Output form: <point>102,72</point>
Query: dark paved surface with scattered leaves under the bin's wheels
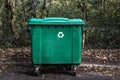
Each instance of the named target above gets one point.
<point>27,73</point>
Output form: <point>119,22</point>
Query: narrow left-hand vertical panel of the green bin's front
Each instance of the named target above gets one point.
<point>36,45</point>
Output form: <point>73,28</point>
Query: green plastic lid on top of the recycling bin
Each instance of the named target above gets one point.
<point>55,21</point>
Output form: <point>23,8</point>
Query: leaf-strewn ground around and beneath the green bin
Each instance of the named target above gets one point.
<point>97,64</point>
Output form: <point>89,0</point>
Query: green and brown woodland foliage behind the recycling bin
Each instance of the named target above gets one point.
<point>102,19</point>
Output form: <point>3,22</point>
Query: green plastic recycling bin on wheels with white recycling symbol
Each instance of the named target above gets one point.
<point>56,41</point>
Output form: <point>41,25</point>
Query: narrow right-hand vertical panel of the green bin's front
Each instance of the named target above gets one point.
<point>77,44</point>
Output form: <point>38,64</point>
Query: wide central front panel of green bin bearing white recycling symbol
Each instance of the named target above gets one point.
<point>56,45</point>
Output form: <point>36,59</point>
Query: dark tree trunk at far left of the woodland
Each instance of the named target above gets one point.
<point>7,28</point>
